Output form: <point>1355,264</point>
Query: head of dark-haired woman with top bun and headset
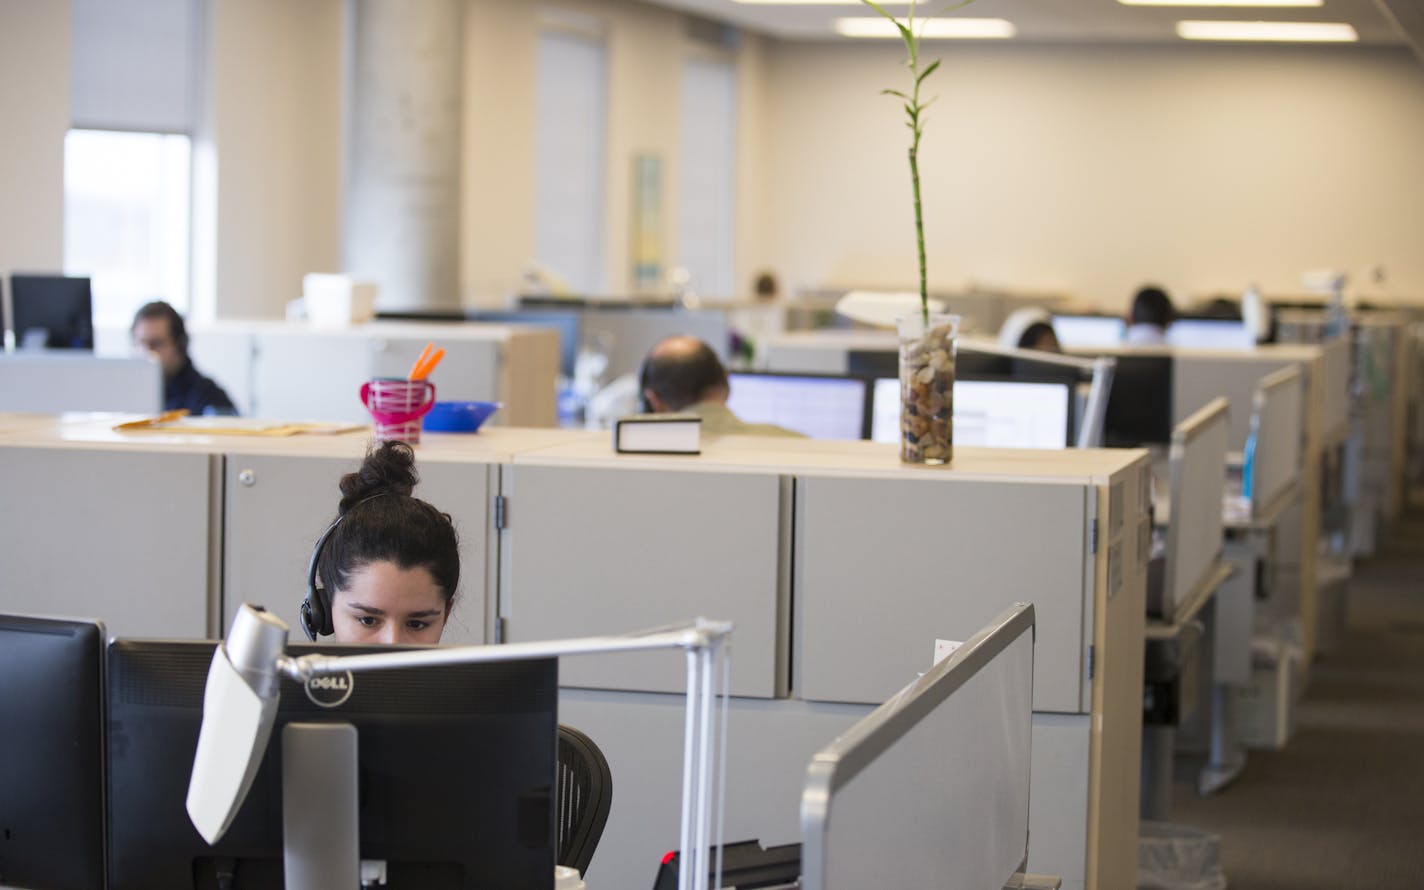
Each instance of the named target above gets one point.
<point>389,565</point>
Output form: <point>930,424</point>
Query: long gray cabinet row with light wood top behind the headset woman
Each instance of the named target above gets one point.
<point>839,566</point>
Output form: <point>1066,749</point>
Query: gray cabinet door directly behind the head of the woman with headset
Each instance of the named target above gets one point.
<point>278,505</point>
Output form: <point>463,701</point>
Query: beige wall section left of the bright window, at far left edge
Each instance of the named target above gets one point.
<point>35,106</point>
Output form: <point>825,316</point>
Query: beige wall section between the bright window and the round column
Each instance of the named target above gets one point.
<point>277,123</point>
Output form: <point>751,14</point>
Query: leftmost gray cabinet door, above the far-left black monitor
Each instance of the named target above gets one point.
<point>122,536</point>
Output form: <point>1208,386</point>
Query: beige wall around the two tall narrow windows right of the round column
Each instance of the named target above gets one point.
<point>647,48</point>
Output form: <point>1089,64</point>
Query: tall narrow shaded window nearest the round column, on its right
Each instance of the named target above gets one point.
<point>569,200</point>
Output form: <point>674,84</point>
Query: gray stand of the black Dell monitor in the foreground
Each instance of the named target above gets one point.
<point>321,831</point>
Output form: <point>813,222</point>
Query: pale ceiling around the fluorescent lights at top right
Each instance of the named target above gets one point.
<point>1080,22</point>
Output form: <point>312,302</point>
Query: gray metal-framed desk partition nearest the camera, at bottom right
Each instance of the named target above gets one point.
<point>884,804</point>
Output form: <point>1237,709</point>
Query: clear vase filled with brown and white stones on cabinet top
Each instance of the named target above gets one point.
<point>928,388</point>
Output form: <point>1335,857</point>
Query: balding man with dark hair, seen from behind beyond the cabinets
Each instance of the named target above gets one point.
<point>681,374</point>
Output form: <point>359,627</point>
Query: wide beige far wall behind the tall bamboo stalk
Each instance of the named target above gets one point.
<point>1089,172</point>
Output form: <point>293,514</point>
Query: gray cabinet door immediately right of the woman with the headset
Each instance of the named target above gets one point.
<point>609,550</point>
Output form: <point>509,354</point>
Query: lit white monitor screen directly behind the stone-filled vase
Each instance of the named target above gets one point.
<point>990,414</point>
